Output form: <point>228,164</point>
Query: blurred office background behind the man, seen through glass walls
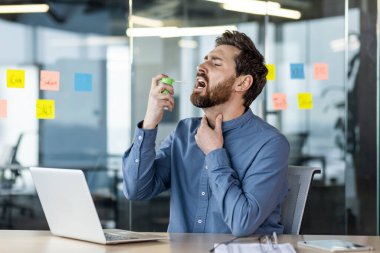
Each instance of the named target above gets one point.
<point>91,130</point>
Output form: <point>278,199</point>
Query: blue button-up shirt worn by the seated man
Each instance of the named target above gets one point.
<point>236,189</point>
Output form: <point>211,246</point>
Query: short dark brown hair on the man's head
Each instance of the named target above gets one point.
<point>248,62</point>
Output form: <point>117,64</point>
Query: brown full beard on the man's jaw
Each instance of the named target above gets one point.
<point>216,95</point>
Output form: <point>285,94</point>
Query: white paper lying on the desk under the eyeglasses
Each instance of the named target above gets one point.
<point>254,248</point>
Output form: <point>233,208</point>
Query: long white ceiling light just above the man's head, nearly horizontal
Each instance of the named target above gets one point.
<point>172,31</point>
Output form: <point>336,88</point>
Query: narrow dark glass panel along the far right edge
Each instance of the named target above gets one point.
<point>361,150</point>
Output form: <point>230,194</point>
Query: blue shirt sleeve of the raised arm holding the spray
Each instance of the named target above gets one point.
<point>146,172</point>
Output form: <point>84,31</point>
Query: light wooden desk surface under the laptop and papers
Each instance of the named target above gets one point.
<point>21,241</point>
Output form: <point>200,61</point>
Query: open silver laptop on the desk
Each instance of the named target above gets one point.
<point>70,210</point>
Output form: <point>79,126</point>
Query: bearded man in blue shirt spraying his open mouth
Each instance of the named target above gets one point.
<point>226,171</point>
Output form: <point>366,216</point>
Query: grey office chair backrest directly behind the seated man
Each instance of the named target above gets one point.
<point>299,179</point>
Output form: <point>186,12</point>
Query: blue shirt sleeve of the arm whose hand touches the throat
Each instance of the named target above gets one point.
<point>245,204</point>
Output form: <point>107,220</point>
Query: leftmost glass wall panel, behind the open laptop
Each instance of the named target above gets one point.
<point>90,128</point>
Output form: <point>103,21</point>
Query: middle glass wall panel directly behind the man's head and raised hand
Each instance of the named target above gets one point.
<point>178,57</point>
